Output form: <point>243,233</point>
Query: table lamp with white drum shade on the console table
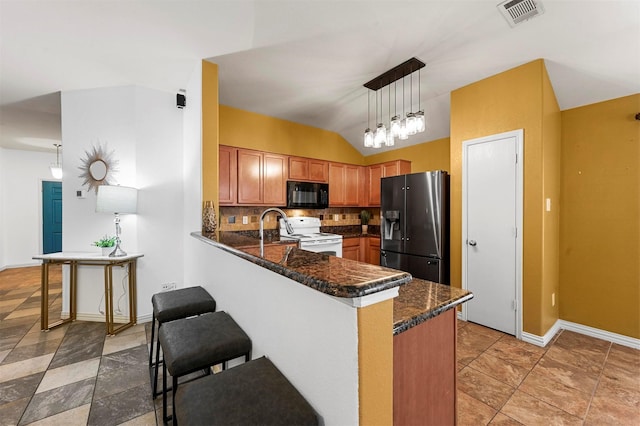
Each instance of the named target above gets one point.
<point>117,200</point>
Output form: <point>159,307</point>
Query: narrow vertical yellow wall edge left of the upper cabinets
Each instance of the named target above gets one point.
<point>210,133</point>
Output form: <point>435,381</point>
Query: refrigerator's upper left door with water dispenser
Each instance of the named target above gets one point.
<point>392,212</point>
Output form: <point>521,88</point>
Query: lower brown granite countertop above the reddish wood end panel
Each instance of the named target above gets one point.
<point>421,300</point>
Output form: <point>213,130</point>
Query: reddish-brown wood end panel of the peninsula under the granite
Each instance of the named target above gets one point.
<point>424,373</point>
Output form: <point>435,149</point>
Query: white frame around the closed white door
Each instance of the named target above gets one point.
<point>519,136</point>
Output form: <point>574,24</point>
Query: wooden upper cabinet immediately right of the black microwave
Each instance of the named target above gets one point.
<point>346,182</point>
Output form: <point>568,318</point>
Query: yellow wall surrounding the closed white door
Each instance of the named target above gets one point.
<point>508,101</point>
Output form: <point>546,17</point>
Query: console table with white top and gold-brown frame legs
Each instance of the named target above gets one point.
<point>74,259</point>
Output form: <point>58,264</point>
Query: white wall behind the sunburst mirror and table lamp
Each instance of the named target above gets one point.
<point>143,128</point>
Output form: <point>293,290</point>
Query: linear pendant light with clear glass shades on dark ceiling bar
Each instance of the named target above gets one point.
<point>400,128</point>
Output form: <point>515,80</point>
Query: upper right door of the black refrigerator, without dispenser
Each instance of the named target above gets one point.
<point>426,214</point>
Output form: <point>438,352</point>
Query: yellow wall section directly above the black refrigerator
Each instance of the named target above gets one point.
<point>426,156</point>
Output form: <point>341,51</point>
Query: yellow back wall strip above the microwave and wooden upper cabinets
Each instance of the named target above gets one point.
<point>246,129</point>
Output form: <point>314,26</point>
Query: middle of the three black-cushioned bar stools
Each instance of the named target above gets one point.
<point>199,343</point>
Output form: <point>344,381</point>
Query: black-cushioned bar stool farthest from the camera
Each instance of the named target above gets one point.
<point>170,306</point>
